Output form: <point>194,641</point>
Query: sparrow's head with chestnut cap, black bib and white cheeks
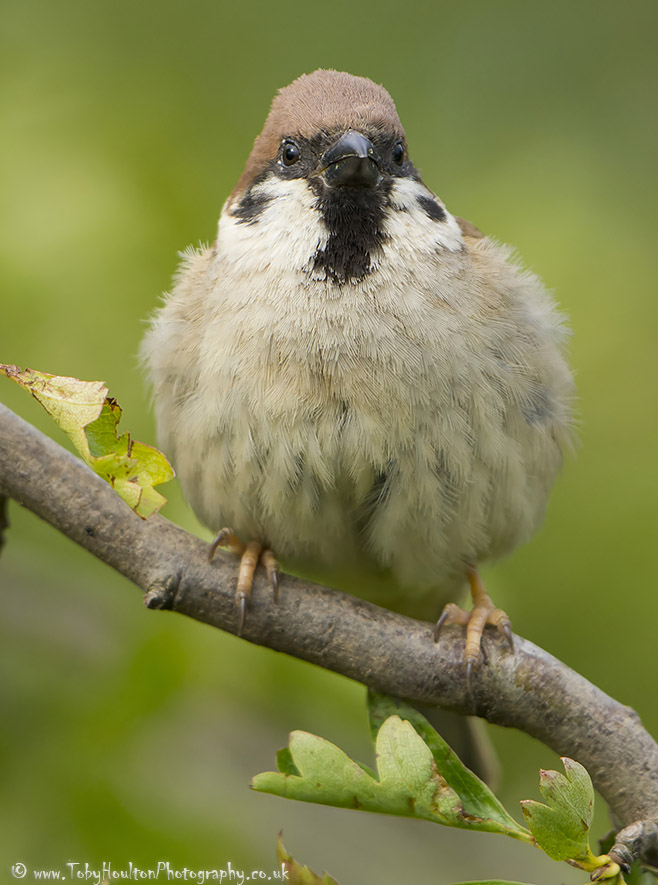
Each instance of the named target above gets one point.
<point>330,168</point>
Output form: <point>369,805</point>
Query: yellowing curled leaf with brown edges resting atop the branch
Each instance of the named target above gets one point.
<point>89,417</point>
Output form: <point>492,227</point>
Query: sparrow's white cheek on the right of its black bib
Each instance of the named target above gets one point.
<point>411,227</point>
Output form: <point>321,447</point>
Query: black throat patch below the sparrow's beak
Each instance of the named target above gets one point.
<point>354,217</point>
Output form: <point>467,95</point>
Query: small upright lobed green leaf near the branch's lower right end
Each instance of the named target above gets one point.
<point>561,826</point>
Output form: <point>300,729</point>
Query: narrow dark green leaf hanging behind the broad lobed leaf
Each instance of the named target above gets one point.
<point>477,800</point>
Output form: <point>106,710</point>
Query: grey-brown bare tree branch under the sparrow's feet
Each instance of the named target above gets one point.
<point>529,689</point>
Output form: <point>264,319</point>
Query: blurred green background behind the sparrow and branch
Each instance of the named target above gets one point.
<point>128,735</point>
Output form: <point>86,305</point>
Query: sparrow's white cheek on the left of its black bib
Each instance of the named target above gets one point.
<point>286,235</point>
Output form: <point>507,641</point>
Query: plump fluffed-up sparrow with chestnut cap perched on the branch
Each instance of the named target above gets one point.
<point>353,383</point>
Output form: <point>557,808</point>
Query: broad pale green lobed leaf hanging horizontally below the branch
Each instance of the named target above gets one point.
<point>407,781</point>
